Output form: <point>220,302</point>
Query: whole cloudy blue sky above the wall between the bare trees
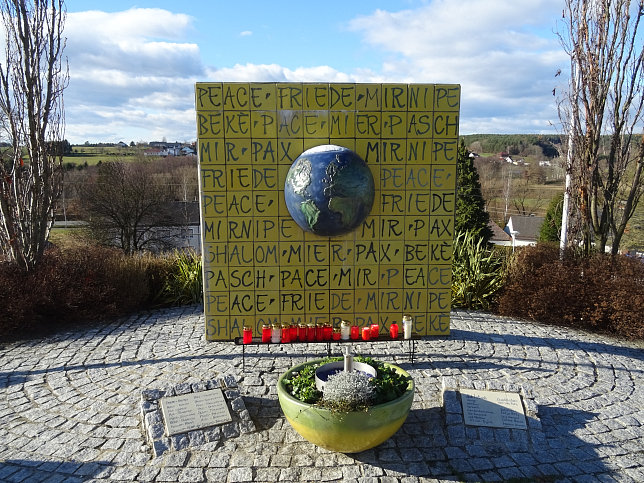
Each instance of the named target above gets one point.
<point>133,65</point>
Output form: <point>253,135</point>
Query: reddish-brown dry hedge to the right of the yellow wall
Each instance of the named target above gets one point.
<point>603,293</point>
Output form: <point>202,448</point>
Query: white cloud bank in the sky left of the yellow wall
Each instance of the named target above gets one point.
<point>132,72</point>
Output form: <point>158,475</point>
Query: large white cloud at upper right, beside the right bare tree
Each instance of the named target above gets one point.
<point>503,54</point>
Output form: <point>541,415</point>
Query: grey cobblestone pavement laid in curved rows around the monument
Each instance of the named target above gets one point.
<point>69,406</point>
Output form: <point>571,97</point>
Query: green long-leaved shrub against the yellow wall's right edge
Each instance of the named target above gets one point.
<point>477,272</point>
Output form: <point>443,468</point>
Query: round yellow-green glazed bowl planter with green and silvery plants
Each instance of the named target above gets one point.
<point>353,414</point>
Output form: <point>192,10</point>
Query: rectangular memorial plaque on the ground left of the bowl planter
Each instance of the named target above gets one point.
<point>193,411</point>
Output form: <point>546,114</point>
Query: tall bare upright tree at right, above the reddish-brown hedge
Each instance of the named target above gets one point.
<point>605,99</point>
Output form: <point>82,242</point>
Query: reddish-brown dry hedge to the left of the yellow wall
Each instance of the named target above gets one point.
<point>78,283</point>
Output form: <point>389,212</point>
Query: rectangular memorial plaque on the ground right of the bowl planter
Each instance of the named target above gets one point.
<point>494,409</point>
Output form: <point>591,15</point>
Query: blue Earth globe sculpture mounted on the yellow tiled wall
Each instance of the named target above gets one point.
<point>329,190</point>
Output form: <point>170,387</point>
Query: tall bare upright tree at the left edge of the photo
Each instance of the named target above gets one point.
<point>32,79</point>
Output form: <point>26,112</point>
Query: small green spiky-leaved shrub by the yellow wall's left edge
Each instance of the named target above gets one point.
<point>183,284</point>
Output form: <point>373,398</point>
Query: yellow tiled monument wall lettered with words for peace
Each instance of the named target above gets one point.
<point>260,267</point>
